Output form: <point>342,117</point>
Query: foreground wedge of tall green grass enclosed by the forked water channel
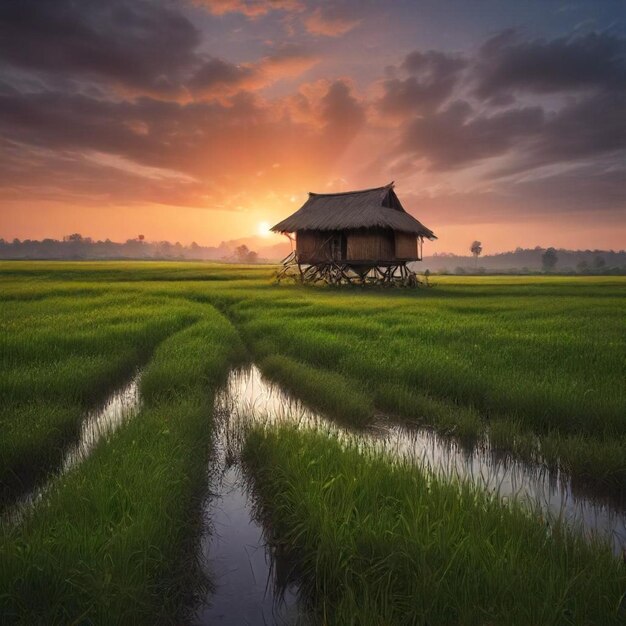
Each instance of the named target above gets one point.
<point>373,542</point>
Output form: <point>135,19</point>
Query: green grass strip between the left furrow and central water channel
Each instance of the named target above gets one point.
<point>114,540</point>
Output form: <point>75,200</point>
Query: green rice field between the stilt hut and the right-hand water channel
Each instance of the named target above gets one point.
<point>544,355</point>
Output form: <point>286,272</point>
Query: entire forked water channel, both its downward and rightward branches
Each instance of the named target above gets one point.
<point>235,549</point>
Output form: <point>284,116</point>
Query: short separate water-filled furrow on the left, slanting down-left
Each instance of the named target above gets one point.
<point>121,405</point>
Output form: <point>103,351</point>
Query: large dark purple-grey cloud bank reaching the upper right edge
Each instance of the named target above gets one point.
<point>589,71</point>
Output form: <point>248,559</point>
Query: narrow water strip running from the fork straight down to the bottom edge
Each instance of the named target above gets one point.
<point>248,580</point>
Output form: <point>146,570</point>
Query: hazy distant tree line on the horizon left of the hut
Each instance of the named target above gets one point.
<point>77,247</point>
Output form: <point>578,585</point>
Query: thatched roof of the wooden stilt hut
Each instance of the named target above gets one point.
<point>368,208</point>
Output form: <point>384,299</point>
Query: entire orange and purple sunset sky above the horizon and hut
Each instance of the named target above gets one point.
<point>209,120</point>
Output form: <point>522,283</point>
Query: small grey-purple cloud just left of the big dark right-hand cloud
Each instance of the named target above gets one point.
<point>432,78</point>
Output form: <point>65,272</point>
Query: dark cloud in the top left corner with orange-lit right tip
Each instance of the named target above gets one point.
<point>130,47</point>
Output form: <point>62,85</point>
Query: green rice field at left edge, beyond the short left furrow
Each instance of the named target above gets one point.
<point>60,358</point>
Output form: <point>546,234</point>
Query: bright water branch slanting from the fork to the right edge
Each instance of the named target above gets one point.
<point>249,398</point>
